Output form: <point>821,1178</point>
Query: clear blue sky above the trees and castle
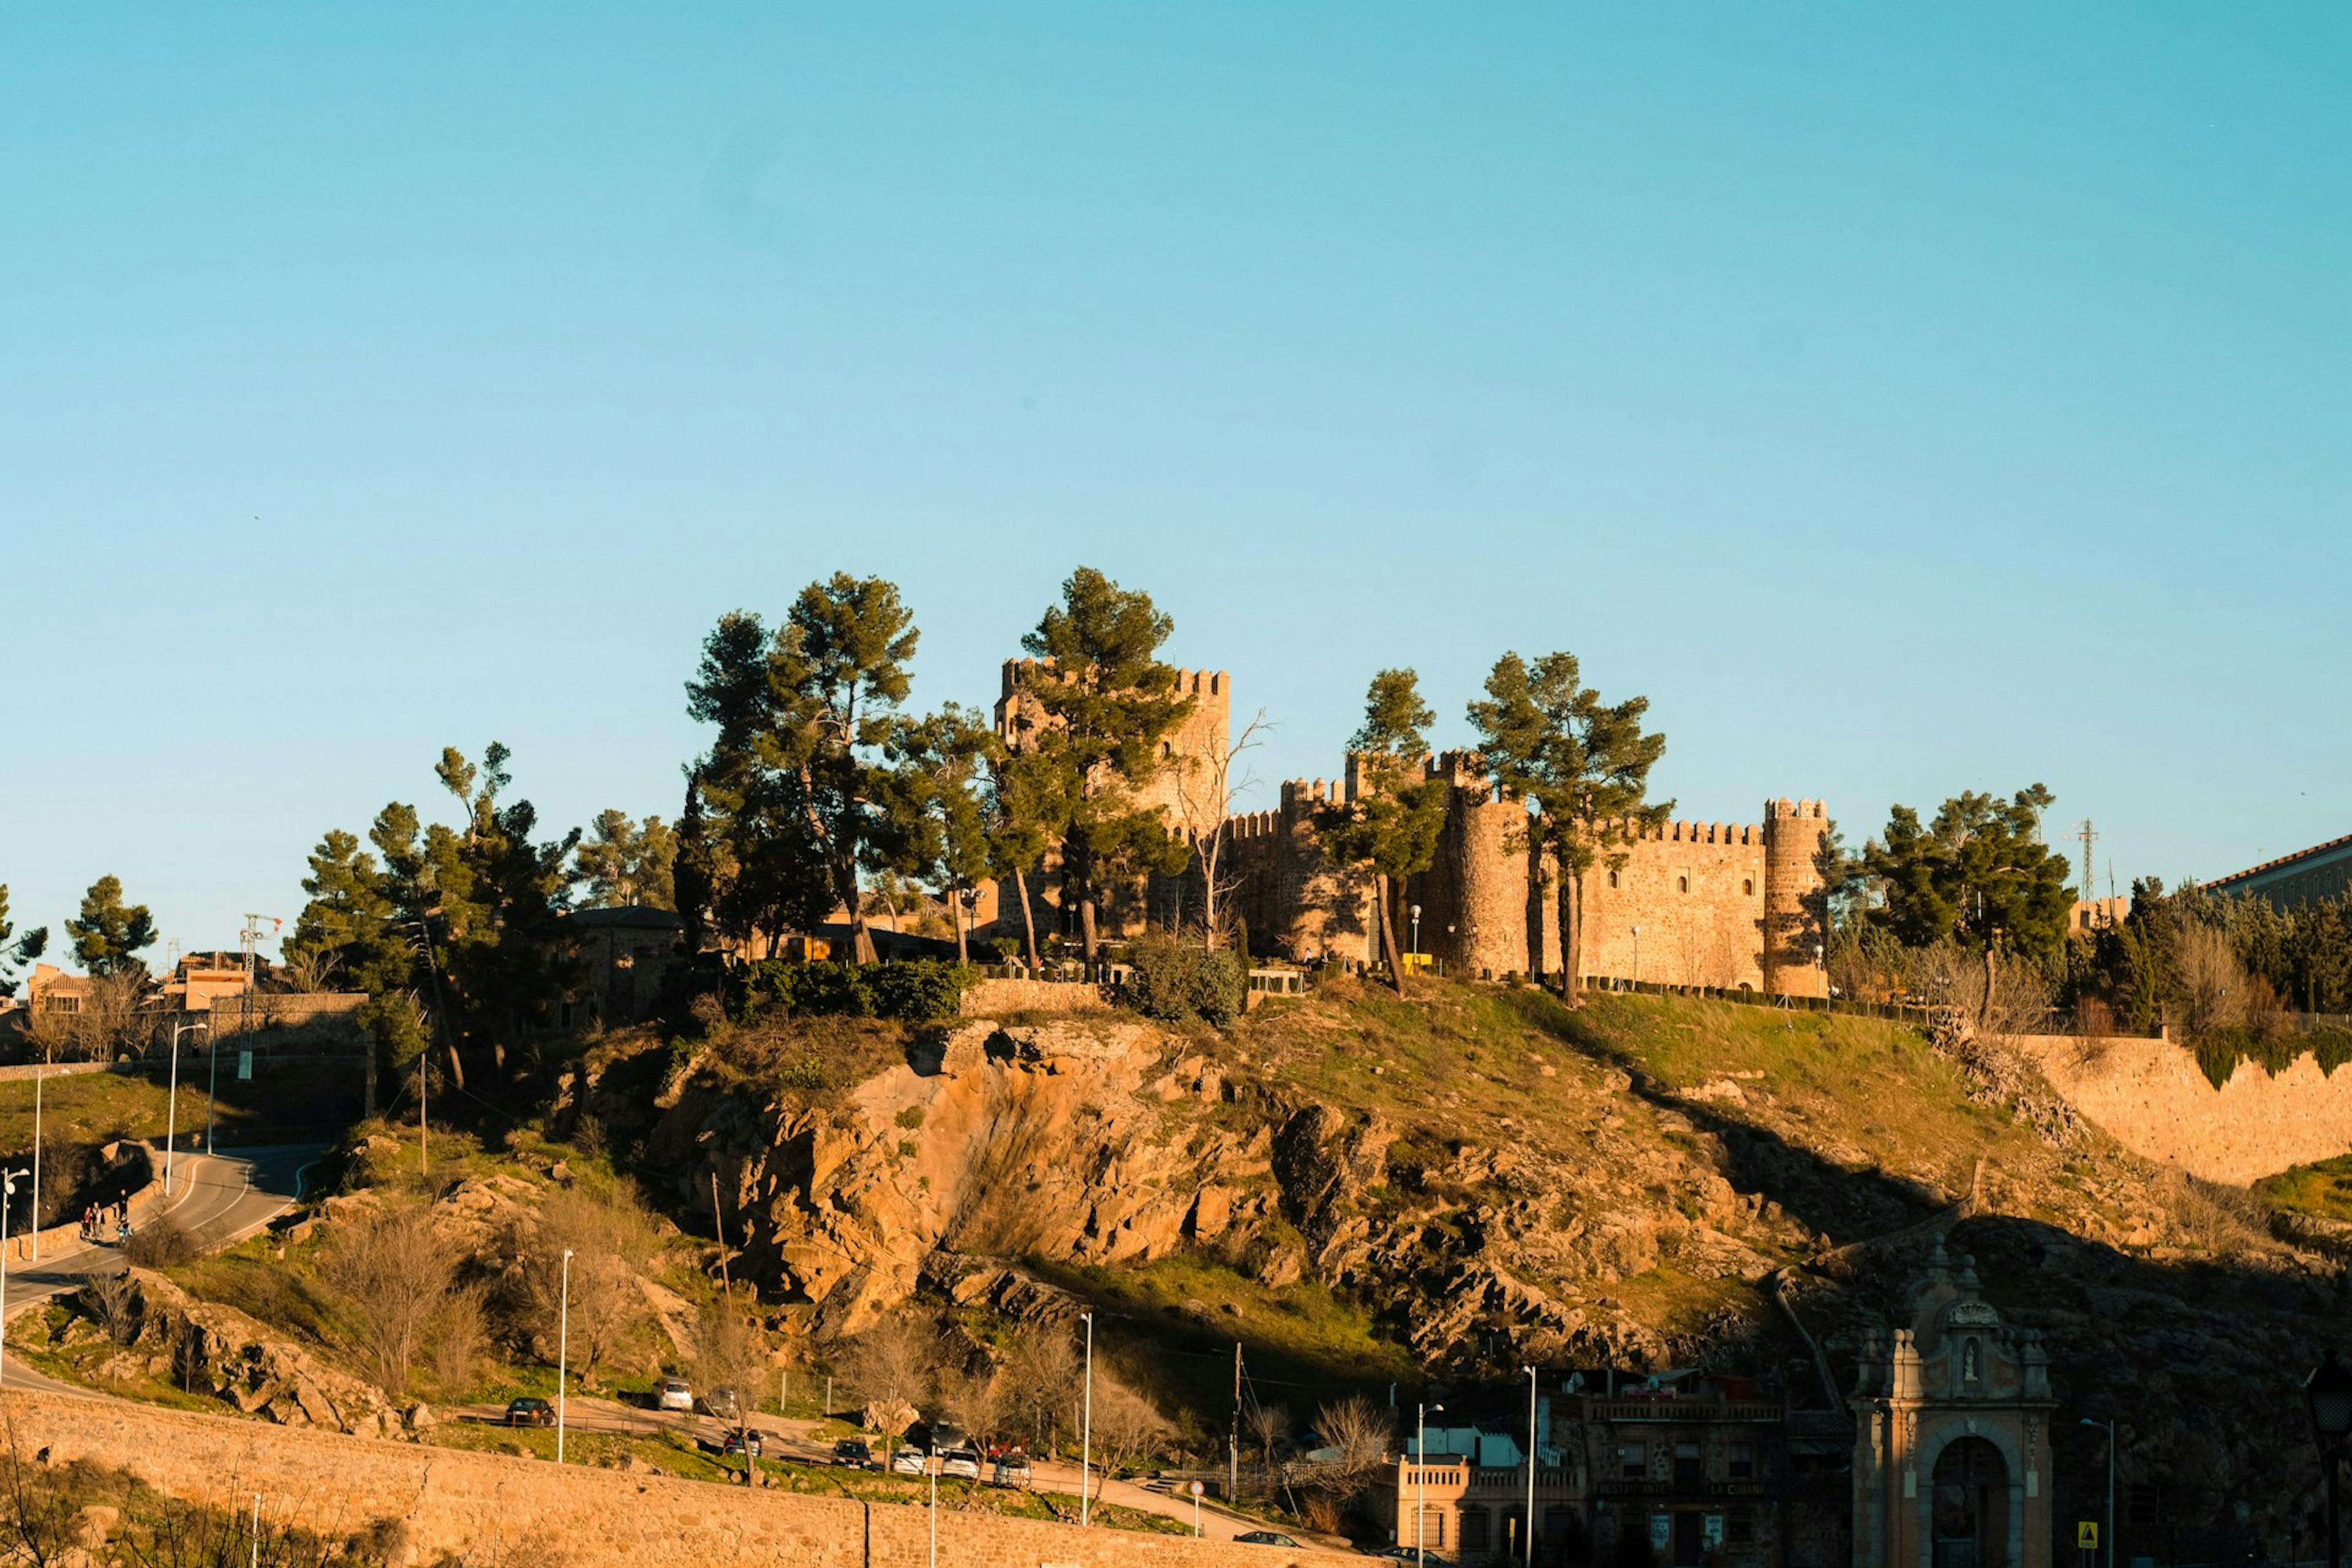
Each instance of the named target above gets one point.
<point>1904,398</point>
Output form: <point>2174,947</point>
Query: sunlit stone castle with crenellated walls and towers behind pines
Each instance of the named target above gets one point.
<point>1690,904</point>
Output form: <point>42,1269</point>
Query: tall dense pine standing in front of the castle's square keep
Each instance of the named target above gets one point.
<point>1104,704</point>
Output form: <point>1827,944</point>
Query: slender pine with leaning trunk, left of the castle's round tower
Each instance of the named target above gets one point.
<point>1391,826</point>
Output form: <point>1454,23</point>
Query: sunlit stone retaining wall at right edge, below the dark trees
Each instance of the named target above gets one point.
<point>2153,1099</point>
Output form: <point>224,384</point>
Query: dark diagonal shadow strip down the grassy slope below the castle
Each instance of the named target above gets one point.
<point>1822,1195</point>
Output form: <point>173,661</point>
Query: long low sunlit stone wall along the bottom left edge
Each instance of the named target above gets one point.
<point>455,1501</point>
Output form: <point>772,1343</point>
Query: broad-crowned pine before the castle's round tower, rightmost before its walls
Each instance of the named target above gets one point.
<point>1579,765</point>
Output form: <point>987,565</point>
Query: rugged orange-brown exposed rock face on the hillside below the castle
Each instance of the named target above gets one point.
<point>1111,1144</point>
